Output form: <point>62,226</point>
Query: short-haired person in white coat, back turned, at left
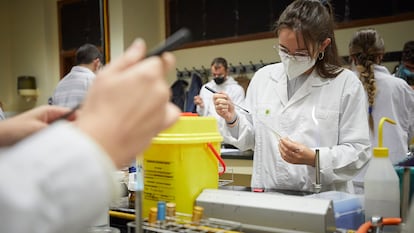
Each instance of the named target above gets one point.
<point>72,89</point>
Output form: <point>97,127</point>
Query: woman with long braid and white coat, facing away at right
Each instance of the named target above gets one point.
<point>387,96</point>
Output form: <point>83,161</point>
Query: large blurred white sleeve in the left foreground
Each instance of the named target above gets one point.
<point>57,180</point>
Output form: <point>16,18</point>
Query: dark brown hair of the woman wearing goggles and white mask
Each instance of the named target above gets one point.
<point>314,20</point>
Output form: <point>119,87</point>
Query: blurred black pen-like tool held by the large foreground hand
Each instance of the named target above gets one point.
<point>177,39</point>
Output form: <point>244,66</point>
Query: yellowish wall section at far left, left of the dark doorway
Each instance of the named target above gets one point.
<point>30,49</point>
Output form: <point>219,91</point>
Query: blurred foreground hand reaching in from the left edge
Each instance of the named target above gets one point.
<point>18,127</point>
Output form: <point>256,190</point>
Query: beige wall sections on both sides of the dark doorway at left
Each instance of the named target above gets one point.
<point>30,46</point>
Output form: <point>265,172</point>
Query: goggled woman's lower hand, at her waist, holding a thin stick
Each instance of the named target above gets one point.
<point>296,153</point>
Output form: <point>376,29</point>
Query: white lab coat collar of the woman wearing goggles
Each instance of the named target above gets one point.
<point>313,81</point>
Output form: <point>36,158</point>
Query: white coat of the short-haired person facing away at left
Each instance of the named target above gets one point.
<point>71,90</point>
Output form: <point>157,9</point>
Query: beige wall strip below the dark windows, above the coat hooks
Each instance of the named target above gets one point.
<point>394,34</point>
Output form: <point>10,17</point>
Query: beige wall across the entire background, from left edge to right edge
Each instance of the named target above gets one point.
<point>29,43</point>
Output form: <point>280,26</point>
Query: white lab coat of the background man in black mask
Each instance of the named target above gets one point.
<point>230,87</point>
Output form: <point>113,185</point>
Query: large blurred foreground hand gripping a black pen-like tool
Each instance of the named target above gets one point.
<point>128,104</point>
